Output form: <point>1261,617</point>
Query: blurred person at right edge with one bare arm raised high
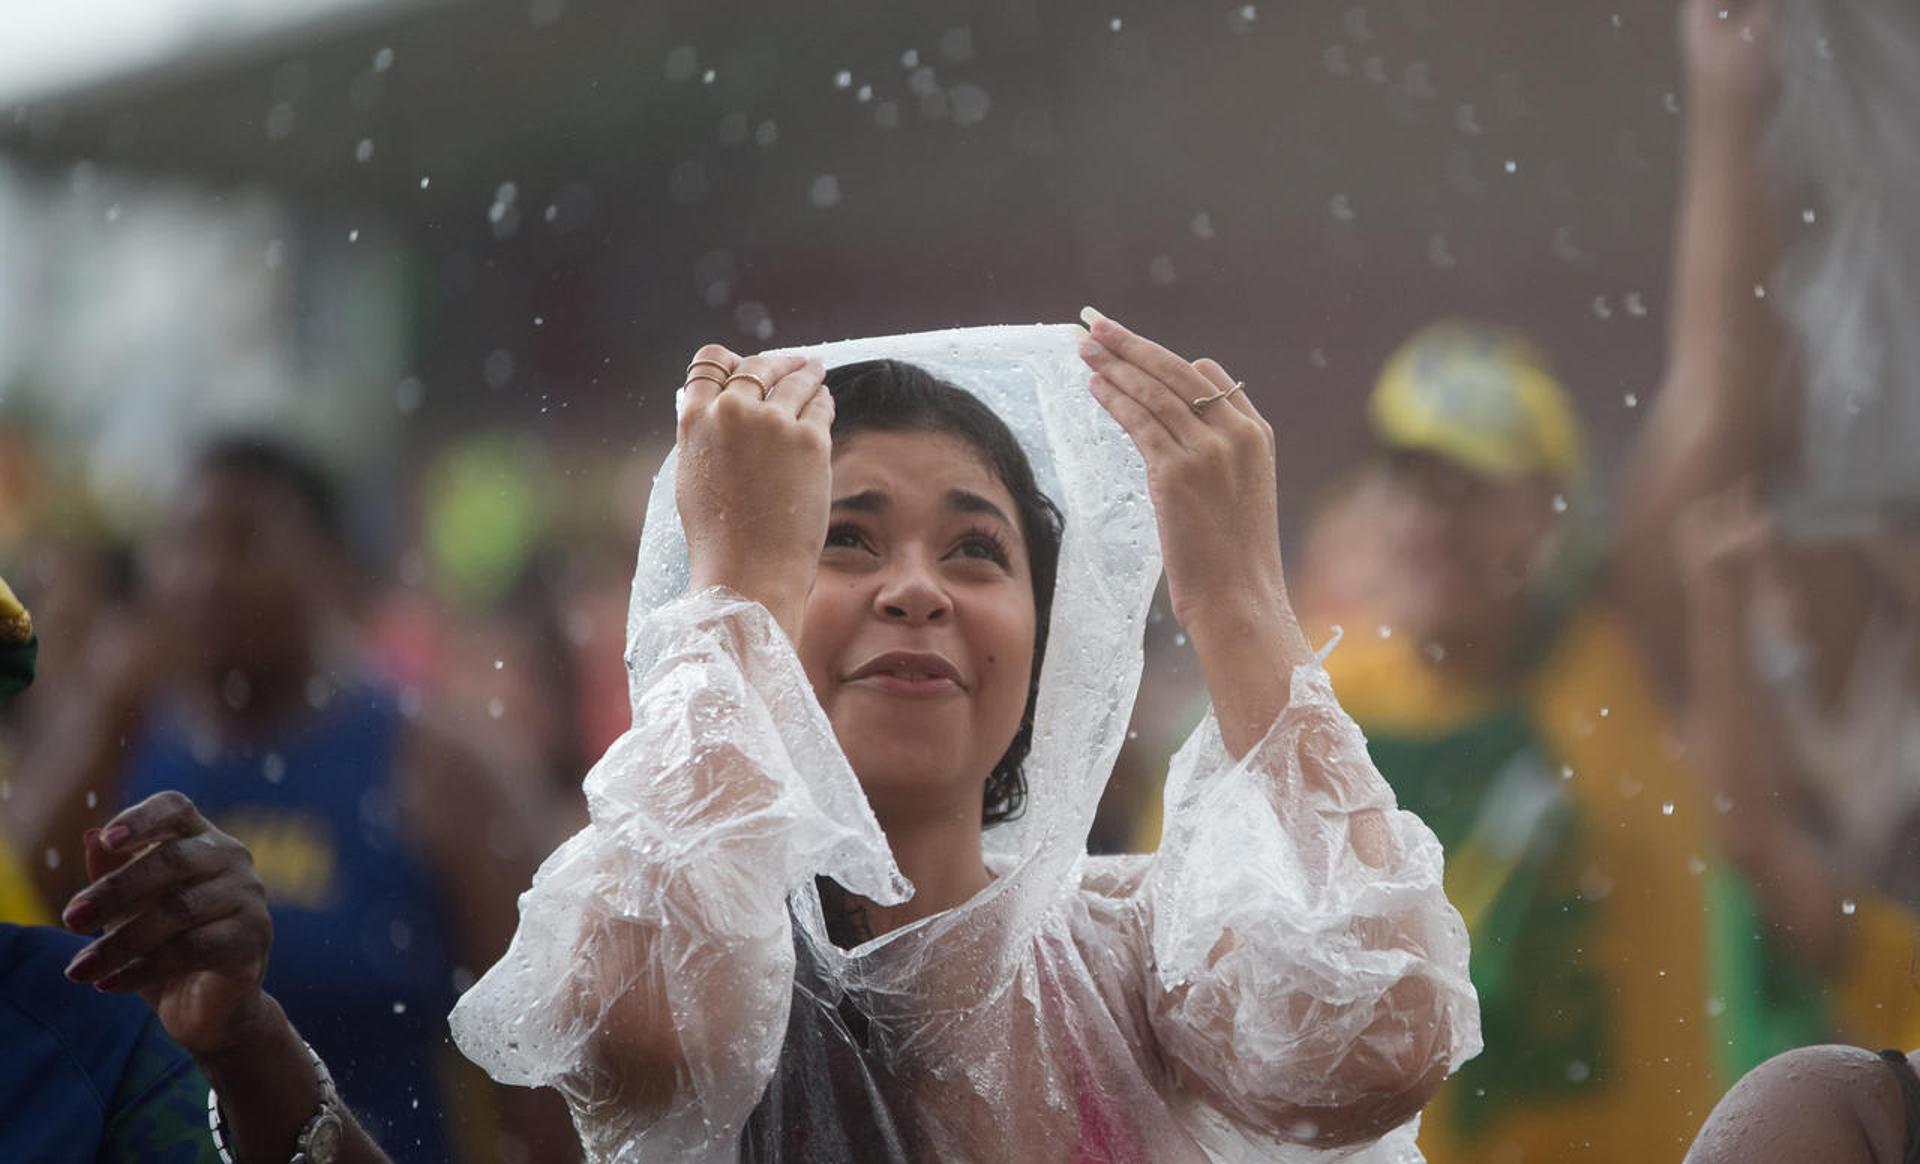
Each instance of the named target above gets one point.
<point>1788,637</point>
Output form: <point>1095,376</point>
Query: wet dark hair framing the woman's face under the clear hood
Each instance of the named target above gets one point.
<point>892,397</point>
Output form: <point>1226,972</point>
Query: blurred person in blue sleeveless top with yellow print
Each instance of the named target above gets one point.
<point>391,850</point>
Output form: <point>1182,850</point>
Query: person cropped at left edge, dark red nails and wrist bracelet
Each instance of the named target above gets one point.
<point>93,1075</point>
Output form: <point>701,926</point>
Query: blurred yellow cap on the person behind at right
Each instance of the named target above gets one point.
<point>1483,399</point>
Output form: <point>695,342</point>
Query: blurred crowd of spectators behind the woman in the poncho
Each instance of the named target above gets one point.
<point>1668,729</point>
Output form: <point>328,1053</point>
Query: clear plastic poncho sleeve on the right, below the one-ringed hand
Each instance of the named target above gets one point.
<point>1295,990</point>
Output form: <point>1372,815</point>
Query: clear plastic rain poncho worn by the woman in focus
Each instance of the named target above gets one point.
<point>1211,1002</point>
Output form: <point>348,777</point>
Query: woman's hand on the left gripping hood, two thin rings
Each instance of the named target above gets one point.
<point>756,475</point>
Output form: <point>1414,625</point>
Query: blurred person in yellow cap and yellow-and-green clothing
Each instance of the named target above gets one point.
<point>1502,700</point>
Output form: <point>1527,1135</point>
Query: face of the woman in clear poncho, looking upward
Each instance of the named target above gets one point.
<point>919,631</point>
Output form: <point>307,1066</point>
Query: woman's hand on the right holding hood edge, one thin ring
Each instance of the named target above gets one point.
<point>1209,472</point>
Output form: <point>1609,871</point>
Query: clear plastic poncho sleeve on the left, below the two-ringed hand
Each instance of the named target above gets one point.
<point>652,971</point>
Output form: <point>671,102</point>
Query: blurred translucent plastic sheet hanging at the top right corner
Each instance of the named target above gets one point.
<point>1846,151</point>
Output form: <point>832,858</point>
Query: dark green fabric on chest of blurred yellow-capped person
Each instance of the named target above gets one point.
<point>1543,1011</point>
